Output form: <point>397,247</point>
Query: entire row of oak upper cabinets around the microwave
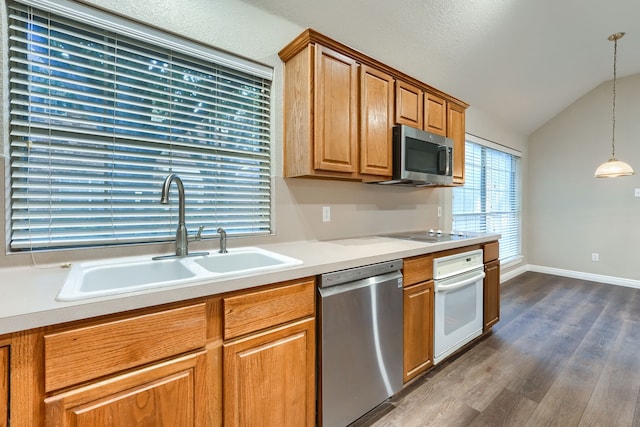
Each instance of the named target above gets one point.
<point>340,107</point>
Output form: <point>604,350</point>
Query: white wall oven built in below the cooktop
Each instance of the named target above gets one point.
<point>458,285</point>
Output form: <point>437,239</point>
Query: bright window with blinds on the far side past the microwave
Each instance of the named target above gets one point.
<point>489,201</point>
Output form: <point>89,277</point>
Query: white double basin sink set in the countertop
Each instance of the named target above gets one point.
<point>101,278</point>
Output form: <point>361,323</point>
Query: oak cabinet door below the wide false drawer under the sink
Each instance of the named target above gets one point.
<point>171,394</point>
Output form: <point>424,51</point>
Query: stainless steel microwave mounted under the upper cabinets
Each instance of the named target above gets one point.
<point>420,158</point>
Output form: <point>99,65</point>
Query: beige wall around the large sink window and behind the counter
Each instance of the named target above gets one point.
<point>357,209</point>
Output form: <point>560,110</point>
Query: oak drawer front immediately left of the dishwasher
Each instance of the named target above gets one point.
<point>255,311</point>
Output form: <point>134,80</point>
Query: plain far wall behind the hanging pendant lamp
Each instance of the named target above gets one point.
<point>571,214</point>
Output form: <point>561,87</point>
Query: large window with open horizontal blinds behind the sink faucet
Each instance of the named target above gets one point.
<point>103,109</point>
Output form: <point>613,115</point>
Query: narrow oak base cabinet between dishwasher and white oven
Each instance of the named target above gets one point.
<point>417,315</point>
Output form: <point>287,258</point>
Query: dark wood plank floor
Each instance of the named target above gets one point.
<point>566,352</point>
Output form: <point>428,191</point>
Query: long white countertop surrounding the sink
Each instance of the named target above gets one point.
<point>29,293</point>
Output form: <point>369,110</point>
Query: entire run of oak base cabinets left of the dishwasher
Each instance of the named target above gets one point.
<point>250,352</point>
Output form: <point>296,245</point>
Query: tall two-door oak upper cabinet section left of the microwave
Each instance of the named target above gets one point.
<point>336,124</point>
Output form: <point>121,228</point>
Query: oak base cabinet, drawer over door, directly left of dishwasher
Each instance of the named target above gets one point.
<point>269,356</point>
